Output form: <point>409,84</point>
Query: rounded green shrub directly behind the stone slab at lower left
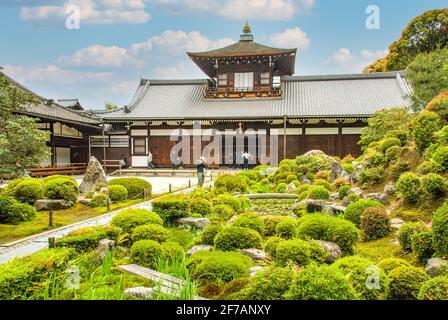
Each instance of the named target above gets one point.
<point>146,253</point>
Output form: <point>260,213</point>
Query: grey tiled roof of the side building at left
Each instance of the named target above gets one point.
<point>48,109</point>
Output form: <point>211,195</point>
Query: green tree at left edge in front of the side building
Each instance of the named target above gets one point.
<point>21,140</point>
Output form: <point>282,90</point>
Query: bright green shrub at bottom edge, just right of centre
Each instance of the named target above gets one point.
<point>270,284</point>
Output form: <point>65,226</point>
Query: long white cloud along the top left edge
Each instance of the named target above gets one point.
<point>91,12</point>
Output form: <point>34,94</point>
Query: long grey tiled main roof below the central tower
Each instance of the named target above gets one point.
<point>332,96</point>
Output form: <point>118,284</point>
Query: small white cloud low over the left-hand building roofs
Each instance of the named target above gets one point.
<point>101,56</point>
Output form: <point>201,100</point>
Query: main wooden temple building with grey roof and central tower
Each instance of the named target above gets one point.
<point>250,86</point>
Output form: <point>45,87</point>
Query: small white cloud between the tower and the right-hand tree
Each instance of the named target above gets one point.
<point>347,61</point>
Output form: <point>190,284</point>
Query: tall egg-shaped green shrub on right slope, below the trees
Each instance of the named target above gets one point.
<point>424,126</point>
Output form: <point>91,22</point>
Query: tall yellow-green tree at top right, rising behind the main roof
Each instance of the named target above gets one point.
<point>425,33</point>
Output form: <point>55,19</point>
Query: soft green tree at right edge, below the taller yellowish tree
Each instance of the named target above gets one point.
<point>428,75</point>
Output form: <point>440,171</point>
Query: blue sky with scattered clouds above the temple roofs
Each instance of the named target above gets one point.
<point>102,56</point>
